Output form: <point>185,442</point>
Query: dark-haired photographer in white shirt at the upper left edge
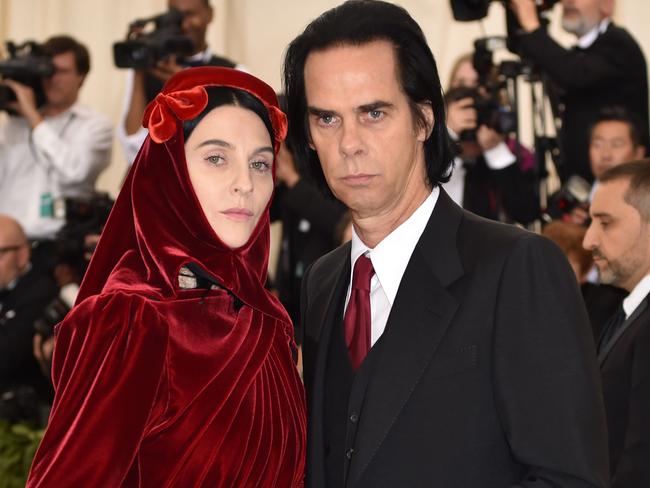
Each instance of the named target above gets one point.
<point>52,151</point>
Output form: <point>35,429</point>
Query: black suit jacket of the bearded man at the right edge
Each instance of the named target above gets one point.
<point>625,367</point>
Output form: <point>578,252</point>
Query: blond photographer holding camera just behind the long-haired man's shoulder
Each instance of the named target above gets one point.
<point>493,175</point>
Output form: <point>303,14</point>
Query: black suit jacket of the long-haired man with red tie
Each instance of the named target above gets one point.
<point>487,375</point>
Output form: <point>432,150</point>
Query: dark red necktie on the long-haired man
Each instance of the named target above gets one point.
<point>357,315</point>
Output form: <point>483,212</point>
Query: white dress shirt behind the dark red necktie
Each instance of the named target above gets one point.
<point>389,260</point>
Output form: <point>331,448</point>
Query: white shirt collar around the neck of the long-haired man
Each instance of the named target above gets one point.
<point>391,256</point>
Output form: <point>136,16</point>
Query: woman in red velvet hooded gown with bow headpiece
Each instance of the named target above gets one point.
<point>176,367</point>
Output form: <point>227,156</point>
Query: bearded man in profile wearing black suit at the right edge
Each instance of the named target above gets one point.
<point>619,239</point>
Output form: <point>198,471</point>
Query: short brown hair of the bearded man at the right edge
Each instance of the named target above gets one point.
<point>638,175</point>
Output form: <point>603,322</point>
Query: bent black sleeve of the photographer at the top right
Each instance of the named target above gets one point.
<point>572,69</point>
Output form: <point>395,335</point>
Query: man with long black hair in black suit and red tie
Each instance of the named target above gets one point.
<point>463,356</point>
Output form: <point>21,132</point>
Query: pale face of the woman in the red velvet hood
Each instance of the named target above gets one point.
<point>229,158</point>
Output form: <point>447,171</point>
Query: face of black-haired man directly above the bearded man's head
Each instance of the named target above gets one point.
<point>610,146</point>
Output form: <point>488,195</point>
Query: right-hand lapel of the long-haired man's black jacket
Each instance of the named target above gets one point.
<point>418,320</point>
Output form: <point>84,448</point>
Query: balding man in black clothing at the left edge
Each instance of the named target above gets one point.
<point>24,294</point>
